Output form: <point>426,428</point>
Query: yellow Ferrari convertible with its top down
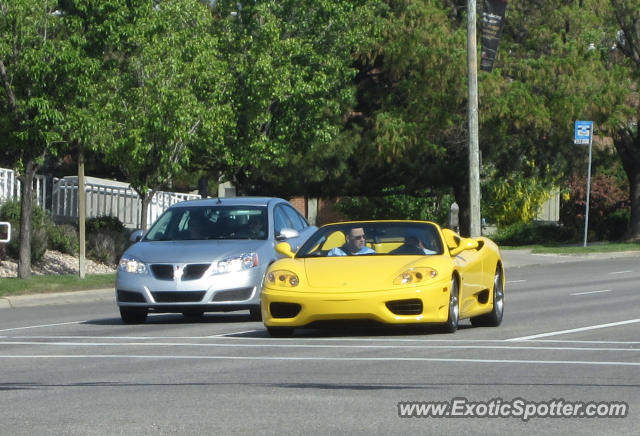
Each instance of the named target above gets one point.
<point>392,272</point>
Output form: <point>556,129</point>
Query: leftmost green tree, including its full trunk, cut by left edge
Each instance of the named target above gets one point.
<point>37,68</point>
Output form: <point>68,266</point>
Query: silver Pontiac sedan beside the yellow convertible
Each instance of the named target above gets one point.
<point>206,255</point>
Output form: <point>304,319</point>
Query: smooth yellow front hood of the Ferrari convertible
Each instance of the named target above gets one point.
<point>360,273</point>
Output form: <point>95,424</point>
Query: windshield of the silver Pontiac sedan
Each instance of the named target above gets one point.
<point>210,222</point>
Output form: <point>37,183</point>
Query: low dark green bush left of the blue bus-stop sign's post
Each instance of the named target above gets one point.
<point>533,233</point>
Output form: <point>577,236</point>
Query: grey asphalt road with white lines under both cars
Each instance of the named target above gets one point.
<point>569,339</point>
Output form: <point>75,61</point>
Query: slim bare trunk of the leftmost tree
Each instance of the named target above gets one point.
<point>26,209</point>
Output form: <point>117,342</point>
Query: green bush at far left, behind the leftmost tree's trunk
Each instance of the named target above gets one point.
<point>10,211</point>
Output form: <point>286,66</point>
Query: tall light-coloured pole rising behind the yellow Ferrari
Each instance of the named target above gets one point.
<point>474,149</point>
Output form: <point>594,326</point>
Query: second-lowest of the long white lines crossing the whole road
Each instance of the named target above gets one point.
<point>304,346</point>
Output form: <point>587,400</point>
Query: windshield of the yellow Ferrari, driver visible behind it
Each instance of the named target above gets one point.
<point>373,238</point>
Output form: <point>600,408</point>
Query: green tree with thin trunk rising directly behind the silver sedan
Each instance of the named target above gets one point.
<point>167,92</point>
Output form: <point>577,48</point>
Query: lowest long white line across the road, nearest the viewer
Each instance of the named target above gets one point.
<point>334,359</point>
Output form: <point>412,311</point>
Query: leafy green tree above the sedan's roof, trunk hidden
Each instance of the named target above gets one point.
<point>290,61</point>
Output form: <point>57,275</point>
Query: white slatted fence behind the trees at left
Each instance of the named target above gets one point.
<point>102,198</point>
